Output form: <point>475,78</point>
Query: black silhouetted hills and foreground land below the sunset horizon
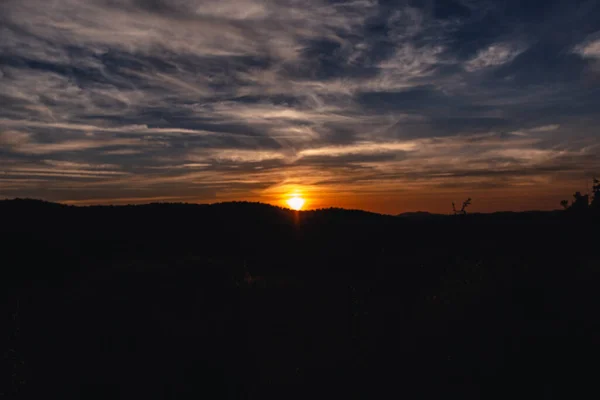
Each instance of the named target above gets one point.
<point>151,302</point>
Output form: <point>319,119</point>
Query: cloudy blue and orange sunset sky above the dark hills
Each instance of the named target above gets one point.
<point>379,105</point>
